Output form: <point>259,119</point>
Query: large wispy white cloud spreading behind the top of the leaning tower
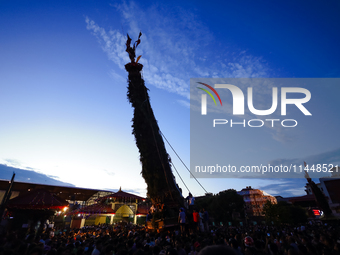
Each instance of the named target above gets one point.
<point>174,48</point>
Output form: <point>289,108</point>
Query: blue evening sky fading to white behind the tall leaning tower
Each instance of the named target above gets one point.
<point>63,101</point>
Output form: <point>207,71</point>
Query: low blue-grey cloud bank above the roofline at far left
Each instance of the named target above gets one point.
<point>29,176</point>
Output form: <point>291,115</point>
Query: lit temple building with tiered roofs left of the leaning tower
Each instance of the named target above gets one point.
<point>72,206</point>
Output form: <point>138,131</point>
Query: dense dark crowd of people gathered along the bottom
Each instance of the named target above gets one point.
<point>126,239</point>
